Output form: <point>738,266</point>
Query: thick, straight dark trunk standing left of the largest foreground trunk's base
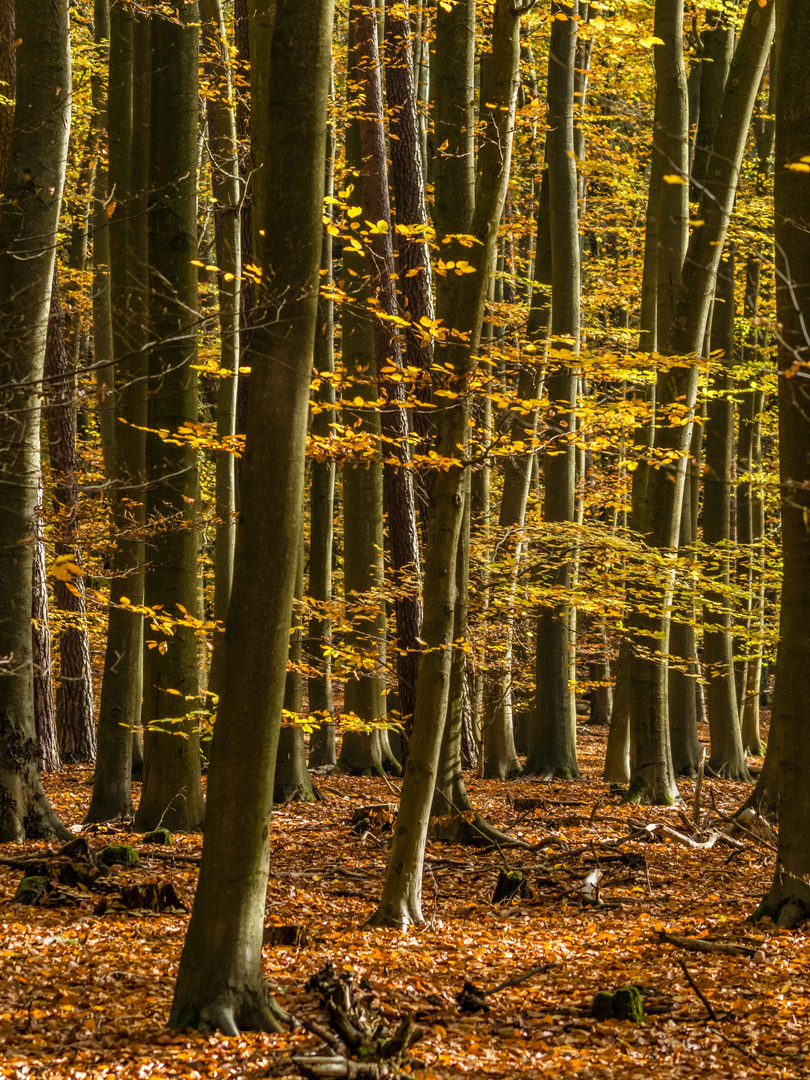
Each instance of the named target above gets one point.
<point>172,792</point>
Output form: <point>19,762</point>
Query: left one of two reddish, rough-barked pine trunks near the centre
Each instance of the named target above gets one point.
<point>398,476</point>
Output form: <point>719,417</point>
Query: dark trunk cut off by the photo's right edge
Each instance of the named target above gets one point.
<point>789,901</point>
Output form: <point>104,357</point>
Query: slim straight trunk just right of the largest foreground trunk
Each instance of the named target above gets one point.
<point>322,499</point>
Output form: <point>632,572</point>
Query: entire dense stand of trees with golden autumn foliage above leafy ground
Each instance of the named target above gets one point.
<point>402,376</point>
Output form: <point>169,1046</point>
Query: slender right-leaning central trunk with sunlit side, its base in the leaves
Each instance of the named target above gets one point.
<point>466,295</point>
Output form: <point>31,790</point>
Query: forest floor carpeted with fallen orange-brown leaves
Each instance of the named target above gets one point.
<point>86,995</point>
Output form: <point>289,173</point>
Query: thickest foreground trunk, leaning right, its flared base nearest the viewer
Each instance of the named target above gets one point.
<point>220,983</point>
